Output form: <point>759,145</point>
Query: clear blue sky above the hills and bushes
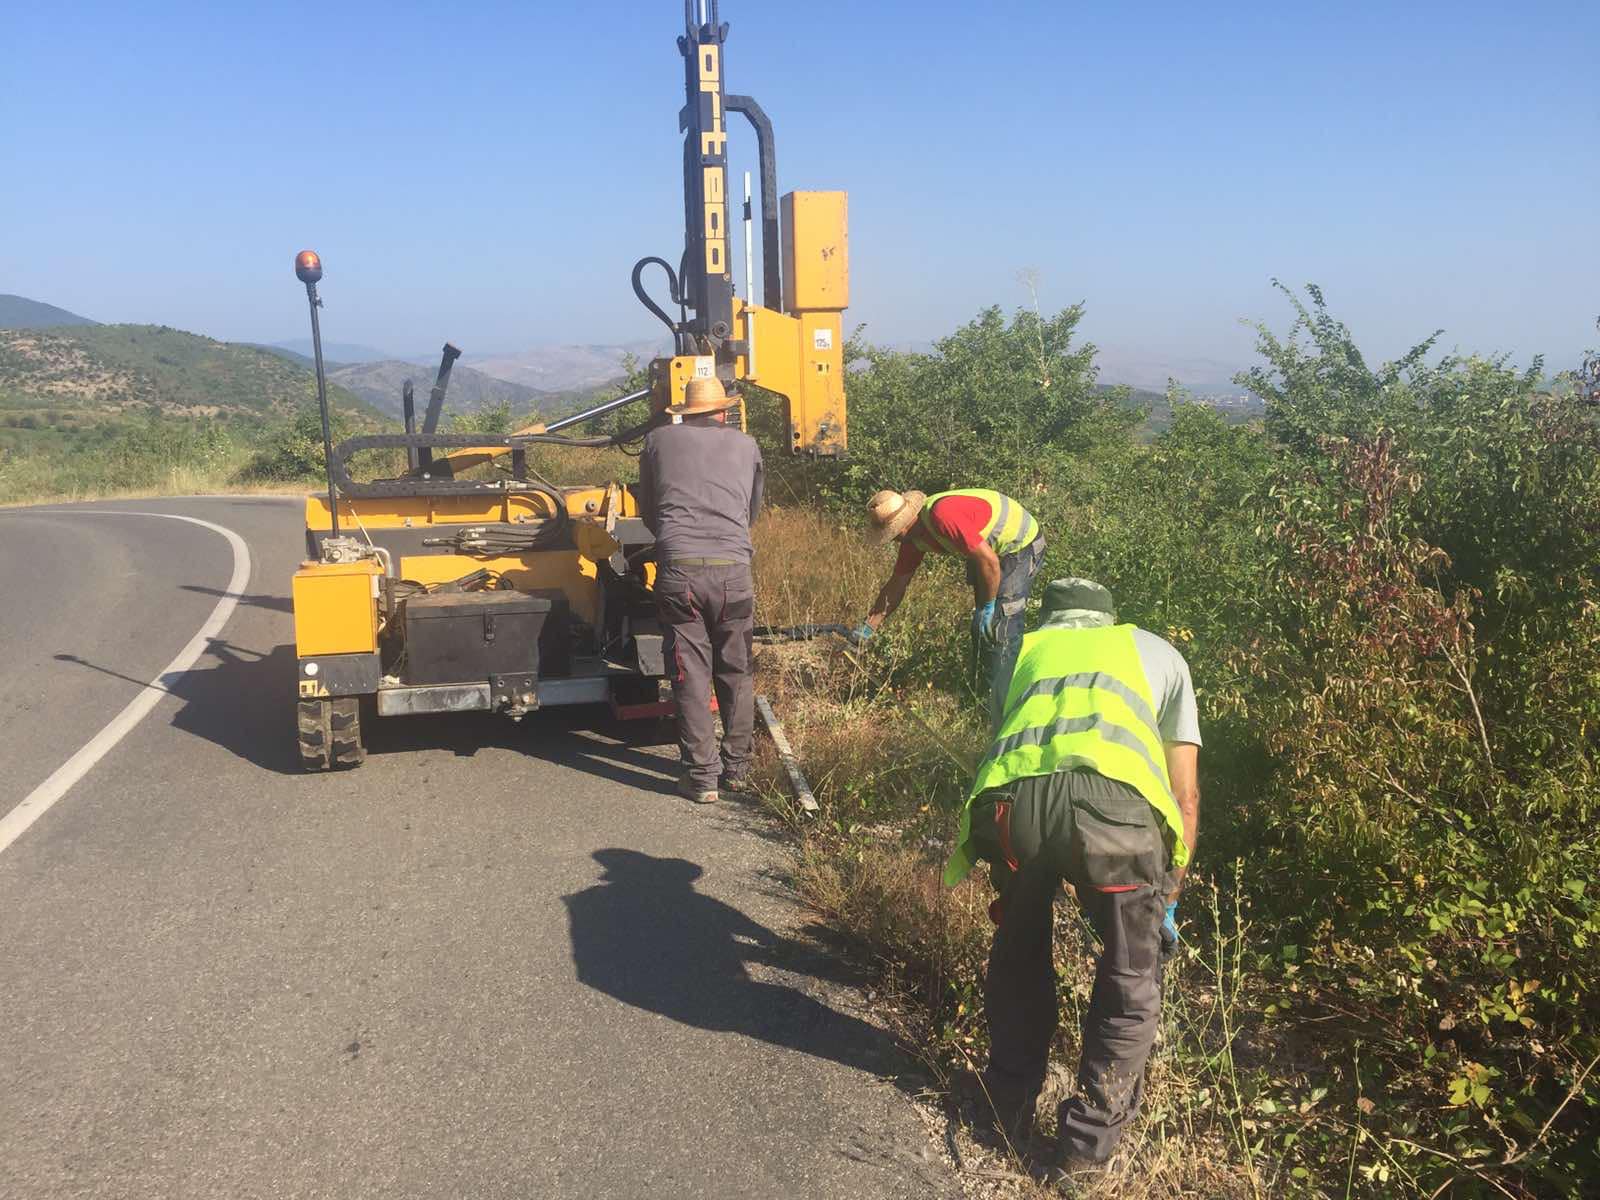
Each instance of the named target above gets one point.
<point>489,172</point>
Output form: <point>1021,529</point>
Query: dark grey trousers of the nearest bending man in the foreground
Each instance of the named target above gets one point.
<point>1094,833</point>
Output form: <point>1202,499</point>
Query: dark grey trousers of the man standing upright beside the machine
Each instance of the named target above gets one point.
<point>708,612</point>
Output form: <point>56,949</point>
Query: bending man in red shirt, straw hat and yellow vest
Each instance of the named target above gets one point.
<point>1002,546</point>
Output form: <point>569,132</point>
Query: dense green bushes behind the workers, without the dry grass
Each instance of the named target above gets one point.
<point>1391,601</point>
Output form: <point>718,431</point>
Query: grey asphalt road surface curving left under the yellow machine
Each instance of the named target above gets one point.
<point>497,961</point>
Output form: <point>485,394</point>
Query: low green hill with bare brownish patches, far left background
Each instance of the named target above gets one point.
<point>110,370</point>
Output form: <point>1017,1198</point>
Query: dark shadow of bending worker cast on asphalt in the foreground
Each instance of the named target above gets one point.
<point>647,938</point>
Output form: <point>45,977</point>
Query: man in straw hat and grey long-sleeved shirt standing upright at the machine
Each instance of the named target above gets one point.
<point>700,490</point>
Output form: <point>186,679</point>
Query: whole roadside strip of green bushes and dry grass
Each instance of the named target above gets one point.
<point>1388,591</point>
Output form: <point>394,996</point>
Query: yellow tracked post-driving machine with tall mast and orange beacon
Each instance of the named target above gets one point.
<point>466,583</point>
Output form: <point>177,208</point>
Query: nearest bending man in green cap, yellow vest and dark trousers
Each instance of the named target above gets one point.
<point>1092,780</point>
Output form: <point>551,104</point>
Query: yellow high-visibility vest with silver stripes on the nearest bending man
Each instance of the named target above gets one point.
<point>1079,698</point>
